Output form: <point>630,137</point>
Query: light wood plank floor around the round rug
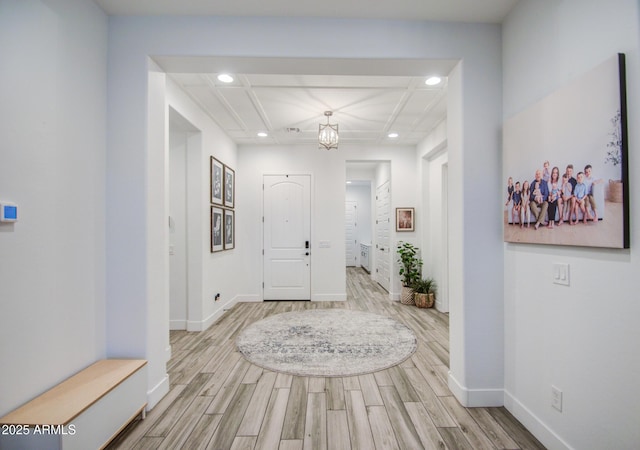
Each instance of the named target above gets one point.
<point>218,400</point>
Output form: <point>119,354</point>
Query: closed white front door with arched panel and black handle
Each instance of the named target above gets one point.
<point>287,237</point>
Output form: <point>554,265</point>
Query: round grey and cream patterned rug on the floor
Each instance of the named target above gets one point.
<point>326,342</point>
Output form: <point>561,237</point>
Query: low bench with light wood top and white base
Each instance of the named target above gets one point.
<point>84,412</point>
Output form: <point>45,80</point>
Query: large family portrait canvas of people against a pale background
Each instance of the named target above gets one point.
<point>565,164</point>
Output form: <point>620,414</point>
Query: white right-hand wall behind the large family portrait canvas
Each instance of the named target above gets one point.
<point>583,339</point>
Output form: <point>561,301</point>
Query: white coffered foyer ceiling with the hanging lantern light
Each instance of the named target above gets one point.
<point>289,108</point>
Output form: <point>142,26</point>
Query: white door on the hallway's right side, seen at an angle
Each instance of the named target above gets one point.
<point>383,237</point>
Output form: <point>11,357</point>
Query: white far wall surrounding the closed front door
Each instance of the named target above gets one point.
<point>327,170</point>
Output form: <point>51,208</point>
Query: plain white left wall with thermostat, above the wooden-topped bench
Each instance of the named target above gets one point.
<point>52,163</point>
